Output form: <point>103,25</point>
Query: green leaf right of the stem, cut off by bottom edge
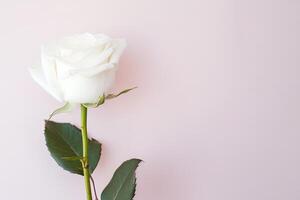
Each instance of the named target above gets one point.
<point>123,183</point>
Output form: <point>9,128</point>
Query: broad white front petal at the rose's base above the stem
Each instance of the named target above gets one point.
<point>81,89</point>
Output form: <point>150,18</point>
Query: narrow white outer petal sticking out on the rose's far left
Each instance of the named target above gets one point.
<point>38,75</point>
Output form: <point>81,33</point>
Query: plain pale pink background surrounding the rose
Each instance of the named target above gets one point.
<point>216,114</point>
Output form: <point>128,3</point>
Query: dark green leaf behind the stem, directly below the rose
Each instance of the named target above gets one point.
<point>65,145</point>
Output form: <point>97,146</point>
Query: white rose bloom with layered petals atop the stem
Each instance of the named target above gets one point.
<point>79,68</point>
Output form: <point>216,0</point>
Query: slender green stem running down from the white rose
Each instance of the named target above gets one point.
<point>85,146</point>
